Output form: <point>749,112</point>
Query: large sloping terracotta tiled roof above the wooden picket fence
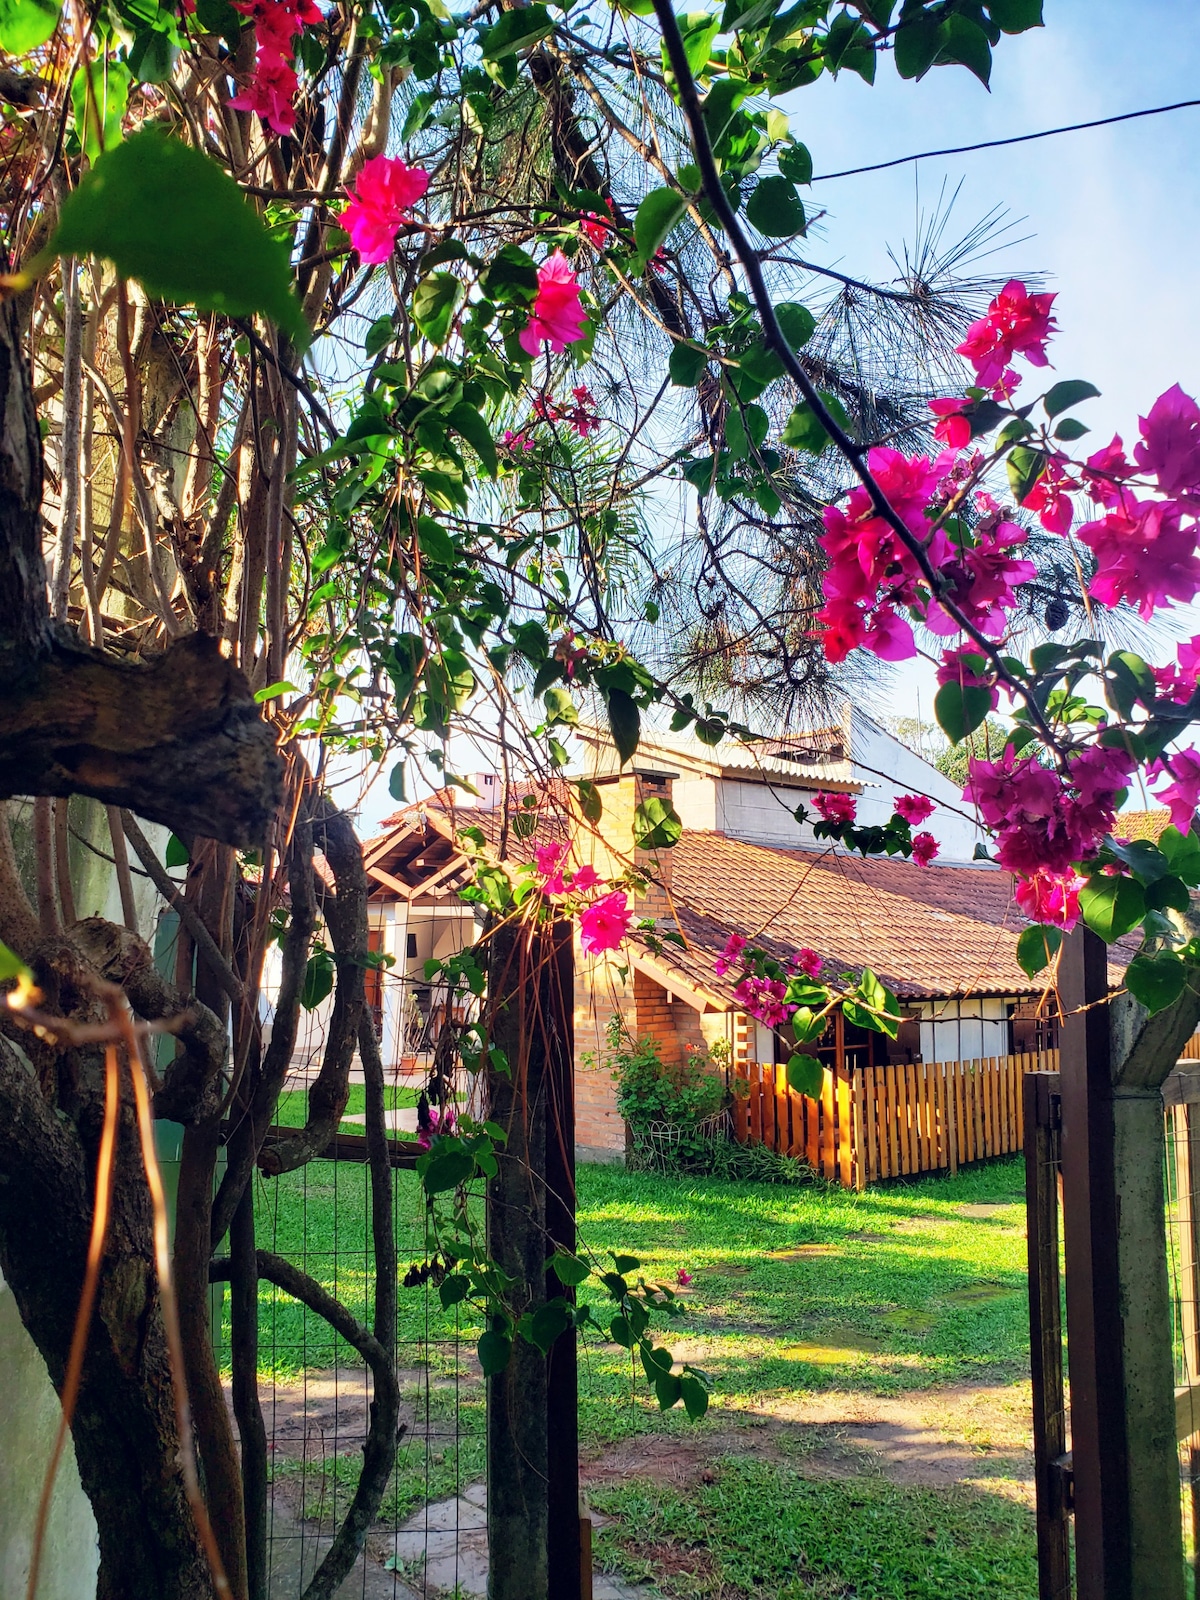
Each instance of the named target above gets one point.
<point>927,932</point>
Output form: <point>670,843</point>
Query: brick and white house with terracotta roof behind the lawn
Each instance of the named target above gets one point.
<point>943,938</point>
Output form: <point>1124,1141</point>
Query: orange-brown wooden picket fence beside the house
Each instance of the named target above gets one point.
<point>884,1122</point>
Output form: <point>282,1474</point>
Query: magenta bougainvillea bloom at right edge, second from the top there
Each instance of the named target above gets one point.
<point>1145,554</point>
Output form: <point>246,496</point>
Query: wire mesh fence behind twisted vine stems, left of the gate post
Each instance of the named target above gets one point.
<point>430,1535</point>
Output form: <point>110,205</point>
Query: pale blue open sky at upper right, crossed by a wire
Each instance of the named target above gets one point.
<point>1113,214</point>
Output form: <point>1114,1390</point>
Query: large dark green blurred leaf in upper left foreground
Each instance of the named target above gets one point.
<point>210,252</point>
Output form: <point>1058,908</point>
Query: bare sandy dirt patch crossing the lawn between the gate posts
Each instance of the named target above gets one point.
<point>930,1438</point>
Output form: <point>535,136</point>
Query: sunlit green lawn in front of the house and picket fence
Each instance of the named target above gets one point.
<point>798,1292</point>
